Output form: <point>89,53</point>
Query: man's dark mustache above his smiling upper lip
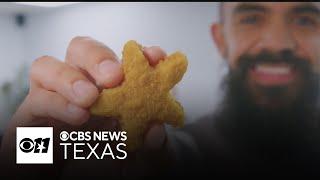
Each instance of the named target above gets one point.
<point>247,61</point>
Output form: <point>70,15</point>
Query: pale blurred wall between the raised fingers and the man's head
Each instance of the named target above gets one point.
<point>173,26</point>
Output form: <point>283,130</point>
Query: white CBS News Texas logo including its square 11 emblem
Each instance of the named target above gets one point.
<point>34,145</point>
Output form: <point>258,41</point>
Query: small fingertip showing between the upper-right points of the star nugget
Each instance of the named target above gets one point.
<point>154,54</point>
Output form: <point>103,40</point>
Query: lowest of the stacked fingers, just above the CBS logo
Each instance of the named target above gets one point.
<point>48,104</point>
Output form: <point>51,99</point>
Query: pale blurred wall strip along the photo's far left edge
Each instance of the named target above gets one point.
<point>12,55</point>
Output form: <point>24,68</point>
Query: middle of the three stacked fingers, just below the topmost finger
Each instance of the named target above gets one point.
<point>54,75</point>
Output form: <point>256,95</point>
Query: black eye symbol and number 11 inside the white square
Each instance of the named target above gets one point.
<point>38,145</point>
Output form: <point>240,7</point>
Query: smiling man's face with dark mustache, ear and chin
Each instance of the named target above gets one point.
<point>273,43</point>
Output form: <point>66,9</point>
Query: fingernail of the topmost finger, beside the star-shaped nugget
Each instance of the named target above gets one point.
<point>110,71</point>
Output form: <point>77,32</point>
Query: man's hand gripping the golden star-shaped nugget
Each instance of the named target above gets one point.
<point>62,92</point>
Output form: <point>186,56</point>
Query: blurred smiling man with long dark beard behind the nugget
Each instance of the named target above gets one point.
<point>269,120</point>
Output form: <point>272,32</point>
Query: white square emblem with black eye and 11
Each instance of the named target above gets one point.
<point>34,145</point>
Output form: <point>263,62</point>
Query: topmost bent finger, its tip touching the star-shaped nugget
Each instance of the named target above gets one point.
<point>97,59</point>
